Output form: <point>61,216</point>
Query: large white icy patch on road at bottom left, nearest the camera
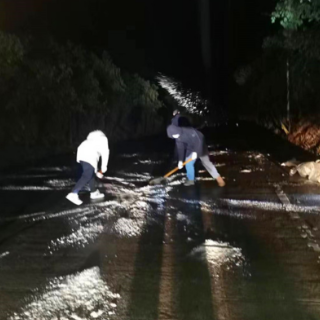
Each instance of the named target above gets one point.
<point>84,295</point>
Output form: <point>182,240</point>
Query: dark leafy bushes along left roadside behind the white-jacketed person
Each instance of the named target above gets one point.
<point>53,94</point>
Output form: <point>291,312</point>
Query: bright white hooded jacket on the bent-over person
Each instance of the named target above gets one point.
<point>95,146</point>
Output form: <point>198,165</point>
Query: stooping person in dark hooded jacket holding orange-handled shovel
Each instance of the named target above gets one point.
<point>191,144</point>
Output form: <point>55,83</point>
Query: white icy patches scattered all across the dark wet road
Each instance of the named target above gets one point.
<point>132,206</point>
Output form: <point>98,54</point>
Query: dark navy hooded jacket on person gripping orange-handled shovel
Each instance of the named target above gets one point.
<point>190,140</point>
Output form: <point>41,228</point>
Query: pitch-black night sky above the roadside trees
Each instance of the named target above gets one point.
<point>151,35</point>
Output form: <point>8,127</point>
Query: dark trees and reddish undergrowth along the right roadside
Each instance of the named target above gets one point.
<point>280,89</point>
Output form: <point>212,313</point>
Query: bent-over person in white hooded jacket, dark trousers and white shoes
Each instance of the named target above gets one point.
<point>88,155</point>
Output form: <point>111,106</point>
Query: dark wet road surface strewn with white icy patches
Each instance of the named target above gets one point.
<point>250,250</point>
